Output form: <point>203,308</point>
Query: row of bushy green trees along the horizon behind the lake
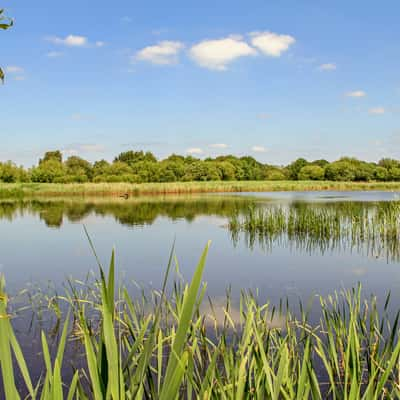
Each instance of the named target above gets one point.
<point>140,167</point>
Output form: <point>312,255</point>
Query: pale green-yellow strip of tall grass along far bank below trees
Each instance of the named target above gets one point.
<point>18,190</point>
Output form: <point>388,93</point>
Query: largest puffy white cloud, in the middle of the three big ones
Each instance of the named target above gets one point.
<point>217,54</point>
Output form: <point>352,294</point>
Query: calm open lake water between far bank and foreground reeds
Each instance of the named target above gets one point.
<point>44,241</point>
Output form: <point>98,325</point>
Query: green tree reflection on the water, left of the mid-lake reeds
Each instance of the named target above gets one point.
<point>131,212</point>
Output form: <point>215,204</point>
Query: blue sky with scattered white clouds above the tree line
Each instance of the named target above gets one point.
<point>273,79</point>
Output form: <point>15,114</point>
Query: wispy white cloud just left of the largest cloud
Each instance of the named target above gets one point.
<point>163,53</point>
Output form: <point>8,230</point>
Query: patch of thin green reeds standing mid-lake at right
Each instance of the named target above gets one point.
<point>370,227</point>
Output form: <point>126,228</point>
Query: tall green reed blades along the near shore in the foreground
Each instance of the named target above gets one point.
<point>167,346</point>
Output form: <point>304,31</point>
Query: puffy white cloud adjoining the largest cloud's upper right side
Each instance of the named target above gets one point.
<point>271,44</point>
